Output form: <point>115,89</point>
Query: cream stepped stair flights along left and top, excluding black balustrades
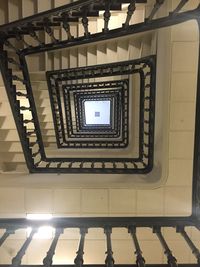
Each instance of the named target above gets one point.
<point>11,157</point>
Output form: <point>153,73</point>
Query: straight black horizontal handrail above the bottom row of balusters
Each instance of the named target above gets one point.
<point>100,222</point>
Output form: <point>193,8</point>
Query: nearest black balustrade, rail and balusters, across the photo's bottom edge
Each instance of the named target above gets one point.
<point>131,224</point>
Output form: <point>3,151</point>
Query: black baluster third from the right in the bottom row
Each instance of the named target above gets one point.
<point>140,261</point>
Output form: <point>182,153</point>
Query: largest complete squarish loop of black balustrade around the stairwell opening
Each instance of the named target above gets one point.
<point>145,67</point>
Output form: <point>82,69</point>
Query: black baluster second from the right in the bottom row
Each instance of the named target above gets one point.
<point>170,258</point>
